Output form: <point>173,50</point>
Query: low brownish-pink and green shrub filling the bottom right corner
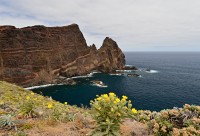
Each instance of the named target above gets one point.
<point>178,121</point>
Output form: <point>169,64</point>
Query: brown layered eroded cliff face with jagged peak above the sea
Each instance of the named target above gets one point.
<point>38,54</point>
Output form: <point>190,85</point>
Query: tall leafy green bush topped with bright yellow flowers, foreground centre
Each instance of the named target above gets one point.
<point>108,111</point>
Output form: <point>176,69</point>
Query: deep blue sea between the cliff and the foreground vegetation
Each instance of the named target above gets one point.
<point>174,81</point>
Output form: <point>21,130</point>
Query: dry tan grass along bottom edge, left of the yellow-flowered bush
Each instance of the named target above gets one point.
<point>82,126</point>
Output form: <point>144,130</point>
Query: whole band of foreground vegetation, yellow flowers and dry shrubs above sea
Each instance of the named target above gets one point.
<point>23,112</point>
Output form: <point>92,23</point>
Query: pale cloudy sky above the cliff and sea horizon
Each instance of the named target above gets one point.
<point>136,25</point>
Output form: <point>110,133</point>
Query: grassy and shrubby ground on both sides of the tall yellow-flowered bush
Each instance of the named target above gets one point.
<point>49,117</point>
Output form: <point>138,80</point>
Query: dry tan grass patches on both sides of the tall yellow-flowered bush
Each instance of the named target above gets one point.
<point>77,128</point>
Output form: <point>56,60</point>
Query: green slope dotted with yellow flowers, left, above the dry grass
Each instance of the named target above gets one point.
<point>27,105</point>
